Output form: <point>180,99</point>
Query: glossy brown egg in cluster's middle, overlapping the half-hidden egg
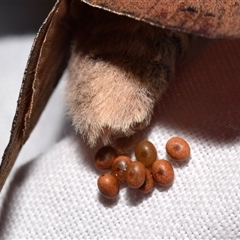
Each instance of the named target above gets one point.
<point>135,174</point>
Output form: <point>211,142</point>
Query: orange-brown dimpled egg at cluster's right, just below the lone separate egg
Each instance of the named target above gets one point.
<point>162,172</point>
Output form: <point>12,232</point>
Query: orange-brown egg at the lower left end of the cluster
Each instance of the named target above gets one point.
<point>108,185</point>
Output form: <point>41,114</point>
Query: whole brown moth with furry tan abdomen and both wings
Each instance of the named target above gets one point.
<point>121,56</point>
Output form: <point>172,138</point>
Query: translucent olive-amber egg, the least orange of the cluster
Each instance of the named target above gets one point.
<point>146,153</point>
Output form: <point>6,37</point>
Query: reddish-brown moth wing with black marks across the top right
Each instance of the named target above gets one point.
<point>211,18</point>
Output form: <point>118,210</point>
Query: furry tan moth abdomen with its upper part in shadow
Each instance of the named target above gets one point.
<point>118,69</point>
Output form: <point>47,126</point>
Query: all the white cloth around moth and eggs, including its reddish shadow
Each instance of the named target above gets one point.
<point>53,192</point>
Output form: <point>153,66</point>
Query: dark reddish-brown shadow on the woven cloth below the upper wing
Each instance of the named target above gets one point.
<point>204,97</point>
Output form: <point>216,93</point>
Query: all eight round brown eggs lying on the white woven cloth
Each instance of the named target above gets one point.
<point>142,173</point>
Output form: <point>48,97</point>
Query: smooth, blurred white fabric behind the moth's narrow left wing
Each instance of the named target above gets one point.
<point>14,51</point>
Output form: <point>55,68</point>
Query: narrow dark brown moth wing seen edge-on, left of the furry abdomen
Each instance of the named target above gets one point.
<point>45,66</point>
